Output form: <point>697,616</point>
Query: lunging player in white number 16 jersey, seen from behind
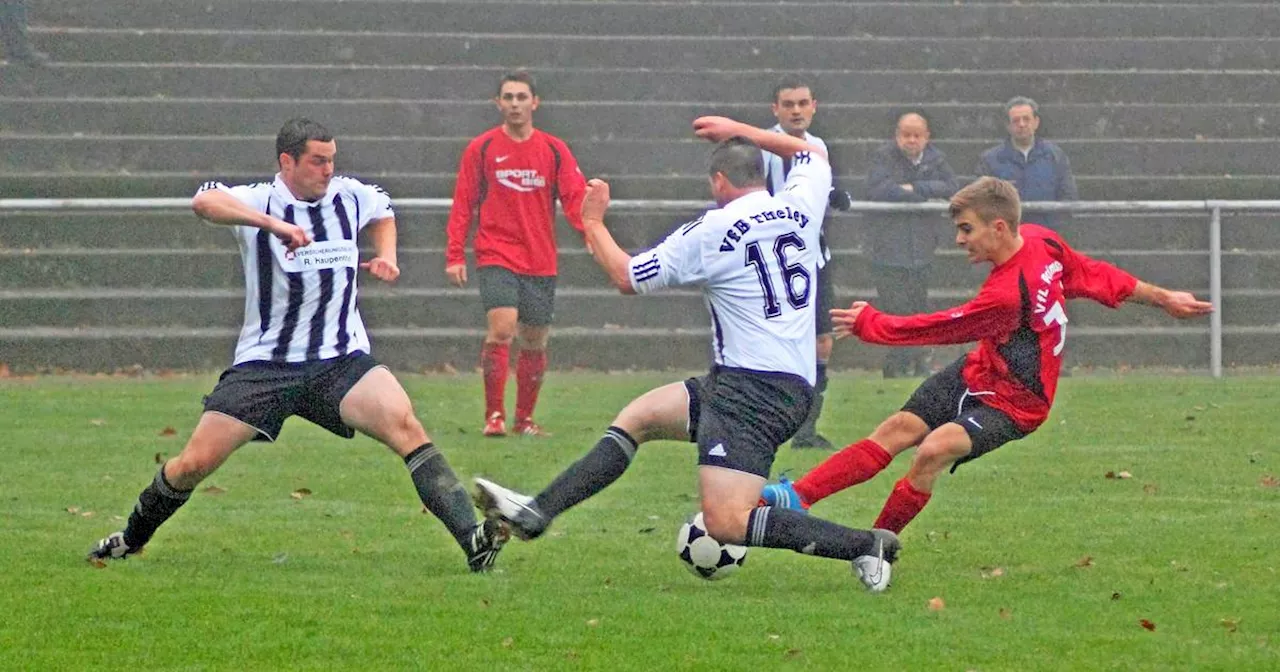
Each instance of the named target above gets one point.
<point>755,258</point>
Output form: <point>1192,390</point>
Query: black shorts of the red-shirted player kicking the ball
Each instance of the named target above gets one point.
<point>945,399</point>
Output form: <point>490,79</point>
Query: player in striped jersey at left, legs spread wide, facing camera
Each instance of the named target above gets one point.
<point>304,350</point>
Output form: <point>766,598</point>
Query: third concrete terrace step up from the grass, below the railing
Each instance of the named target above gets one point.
<point>424,268</point>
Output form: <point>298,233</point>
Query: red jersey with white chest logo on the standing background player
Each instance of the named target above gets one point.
<point>513,188</point>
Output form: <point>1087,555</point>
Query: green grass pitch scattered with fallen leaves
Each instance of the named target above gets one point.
<point>355,577</point>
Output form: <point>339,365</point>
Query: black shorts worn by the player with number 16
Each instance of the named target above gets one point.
<point>739,418</point>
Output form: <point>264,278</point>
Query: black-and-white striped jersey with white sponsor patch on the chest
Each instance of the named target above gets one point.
<point>301,305</point>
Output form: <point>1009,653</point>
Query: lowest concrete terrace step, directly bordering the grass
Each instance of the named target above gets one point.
<point>107,350</point>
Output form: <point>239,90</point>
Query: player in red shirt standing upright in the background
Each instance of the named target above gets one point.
<point>510,179</point>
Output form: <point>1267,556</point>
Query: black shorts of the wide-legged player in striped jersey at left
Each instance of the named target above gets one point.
<point>262,395</point>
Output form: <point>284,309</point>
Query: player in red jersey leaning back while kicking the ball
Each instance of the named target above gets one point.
<point>1003,390</point>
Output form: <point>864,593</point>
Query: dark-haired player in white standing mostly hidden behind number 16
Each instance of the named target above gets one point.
<point>794,107</point>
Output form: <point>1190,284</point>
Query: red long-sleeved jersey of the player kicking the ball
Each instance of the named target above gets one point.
<point>1018,321</point>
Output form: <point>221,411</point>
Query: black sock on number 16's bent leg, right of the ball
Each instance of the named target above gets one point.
<point>785,528</point>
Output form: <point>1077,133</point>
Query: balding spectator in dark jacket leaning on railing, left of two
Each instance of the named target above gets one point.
<point>907,171</point>
